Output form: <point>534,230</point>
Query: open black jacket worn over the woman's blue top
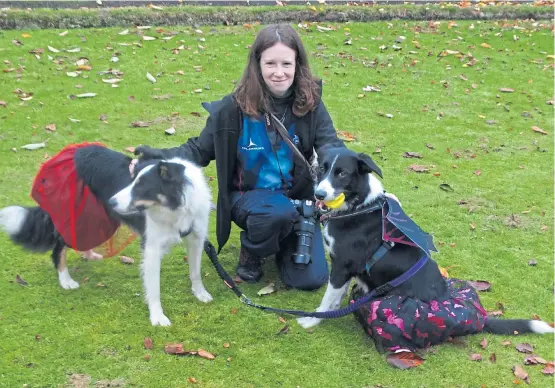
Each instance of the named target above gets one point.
<point>218,141</point>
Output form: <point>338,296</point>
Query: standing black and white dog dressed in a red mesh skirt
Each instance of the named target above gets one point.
<point>165,202</point>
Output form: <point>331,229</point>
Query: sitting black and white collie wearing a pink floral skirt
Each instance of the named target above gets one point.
<point>352,236</point>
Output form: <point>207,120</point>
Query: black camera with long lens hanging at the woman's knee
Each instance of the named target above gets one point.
<point>304,228</point>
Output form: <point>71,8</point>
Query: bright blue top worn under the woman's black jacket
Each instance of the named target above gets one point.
<point>262,166</point>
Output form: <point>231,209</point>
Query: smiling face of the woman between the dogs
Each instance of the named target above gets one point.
<point>277,64</point>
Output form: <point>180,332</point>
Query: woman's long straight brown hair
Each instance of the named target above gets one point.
<point>252,94</point>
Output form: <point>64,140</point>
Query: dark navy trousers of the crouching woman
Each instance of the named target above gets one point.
<point>267,218</point>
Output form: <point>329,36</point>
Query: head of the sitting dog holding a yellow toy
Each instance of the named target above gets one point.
<point>344,171</point>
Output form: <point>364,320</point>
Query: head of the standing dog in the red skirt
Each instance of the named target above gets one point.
<point>157,185</point>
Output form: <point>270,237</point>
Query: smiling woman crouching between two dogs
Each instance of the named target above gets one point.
<point>258,172</point>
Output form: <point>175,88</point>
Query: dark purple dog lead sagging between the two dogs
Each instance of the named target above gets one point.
<point>352,307</point>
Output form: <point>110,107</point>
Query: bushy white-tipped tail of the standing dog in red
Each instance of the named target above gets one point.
<point>30,227</point>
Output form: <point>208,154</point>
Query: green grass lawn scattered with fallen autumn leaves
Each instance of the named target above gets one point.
<point>99,331</point>
